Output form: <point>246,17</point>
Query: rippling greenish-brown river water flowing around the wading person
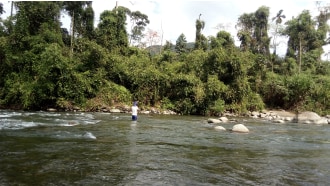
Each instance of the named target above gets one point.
<point>45,148</point>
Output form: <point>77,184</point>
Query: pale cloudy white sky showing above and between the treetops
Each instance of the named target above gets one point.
<point>174,17</point>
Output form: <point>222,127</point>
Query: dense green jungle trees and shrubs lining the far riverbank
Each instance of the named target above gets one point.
<point>43,65</point>
